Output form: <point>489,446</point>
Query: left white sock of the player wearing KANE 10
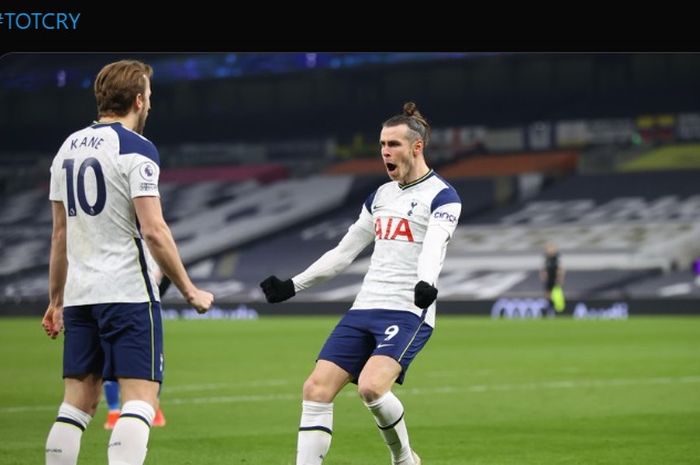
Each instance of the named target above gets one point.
<point>63,442</point>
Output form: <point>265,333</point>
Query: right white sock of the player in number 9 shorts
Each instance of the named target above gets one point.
<point>388,413</point>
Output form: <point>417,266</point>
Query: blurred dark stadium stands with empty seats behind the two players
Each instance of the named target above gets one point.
<point>268,157</point>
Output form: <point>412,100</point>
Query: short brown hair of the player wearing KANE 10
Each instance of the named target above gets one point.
<point>117,85</point>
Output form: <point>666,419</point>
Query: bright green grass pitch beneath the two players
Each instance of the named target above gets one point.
<point>482,392</point>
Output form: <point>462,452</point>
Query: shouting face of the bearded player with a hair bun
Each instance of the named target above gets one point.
<point>399,152</point>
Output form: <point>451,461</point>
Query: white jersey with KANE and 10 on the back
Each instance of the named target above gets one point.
<point>95,174</point>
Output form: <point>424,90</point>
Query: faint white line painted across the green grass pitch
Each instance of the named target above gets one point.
<point>564,384</point>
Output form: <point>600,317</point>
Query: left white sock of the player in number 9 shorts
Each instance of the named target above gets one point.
<point>315,432</point>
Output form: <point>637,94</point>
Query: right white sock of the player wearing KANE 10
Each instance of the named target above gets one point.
<point>129,440</point>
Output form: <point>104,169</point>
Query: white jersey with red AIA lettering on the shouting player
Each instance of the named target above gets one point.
<point>400,217</point>
